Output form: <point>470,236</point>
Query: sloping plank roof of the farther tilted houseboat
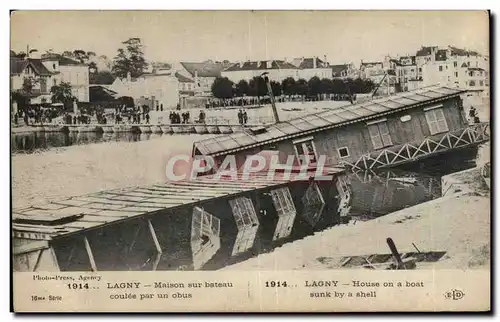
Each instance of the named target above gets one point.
<point>223,145</point>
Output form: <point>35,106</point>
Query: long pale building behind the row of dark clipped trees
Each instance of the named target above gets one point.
<point>278,70</point>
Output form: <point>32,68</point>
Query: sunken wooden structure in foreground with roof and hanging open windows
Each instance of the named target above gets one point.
<point>202,224</point>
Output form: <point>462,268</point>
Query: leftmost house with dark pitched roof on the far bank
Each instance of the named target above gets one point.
<point>31,71</point>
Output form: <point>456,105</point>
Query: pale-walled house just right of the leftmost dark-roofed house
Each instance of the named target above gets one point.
<point>67,70</point>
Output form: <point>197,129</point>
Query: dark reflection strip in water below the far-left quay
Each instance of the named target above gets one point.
<point>40,141</point>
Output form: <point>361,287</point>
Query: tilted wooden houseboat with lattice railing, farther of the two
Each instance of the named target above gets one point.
<point>382,132</point>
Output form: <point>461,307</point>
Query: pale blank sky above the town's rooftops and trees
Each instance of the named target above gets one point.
<point>341,36</point>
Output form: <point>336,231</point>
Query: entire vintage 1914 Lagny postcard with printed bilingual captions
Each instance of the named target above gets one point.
<point>250,161</point>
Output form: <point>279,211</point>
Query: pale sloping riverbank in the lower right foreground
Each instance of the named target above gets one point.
<point>459,225</point>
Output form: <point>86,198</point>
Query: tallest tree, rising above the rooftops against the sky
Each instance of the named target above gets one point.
<point>130,59</point>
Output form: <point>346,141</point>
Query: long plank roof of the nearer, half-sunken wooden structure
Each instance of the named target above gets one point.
<point>70,215</point>
